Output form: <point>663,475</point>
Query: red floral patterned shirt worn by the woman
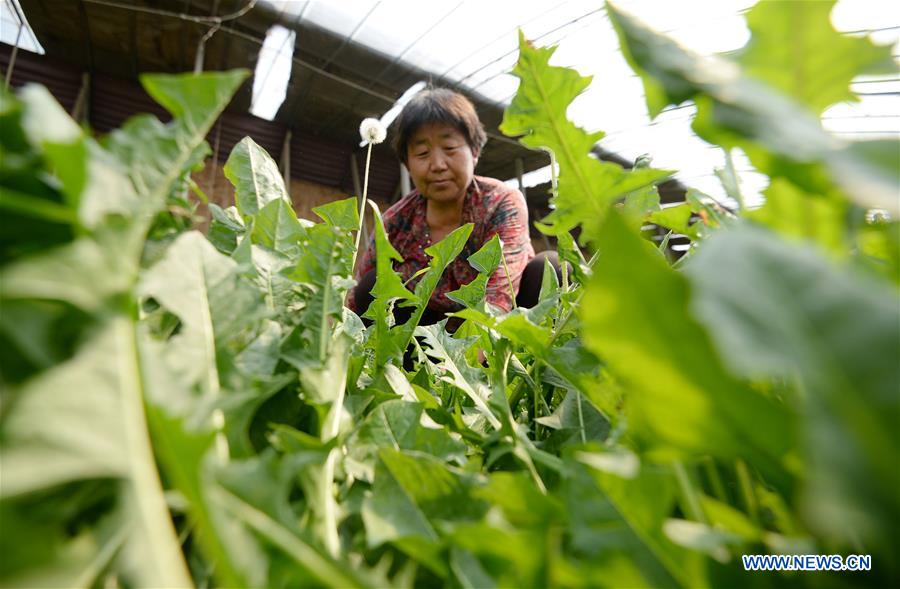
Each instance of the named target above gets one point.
<point>494,208</point>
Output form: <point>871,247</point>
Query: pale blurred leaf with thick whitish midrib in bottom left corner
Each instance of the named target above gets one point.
<point>51,437</point>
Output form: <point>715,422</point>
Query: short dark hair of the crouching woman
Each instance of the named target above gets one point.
<point>438,105</point>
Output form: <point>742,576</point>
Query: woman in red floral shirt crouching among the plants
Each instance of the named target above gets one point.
<point>439,137</point>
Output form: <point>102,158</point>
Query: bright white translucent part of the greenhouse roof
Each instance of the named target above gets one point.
<point>474,45</point>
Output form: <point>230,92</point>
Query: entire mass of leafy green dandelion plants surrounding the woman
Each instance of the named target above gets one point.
<point>184,409</point>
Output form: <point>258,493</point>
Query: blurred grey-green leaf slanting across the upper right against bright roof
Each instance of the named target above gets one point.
<point>781,136</point>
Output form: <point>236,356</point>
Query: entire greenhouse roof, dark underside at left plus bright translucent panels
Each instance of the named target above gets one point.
<point>323,66</point>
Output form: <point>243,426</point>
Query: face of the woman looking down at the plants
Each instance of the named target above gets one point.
<point>440,162</point>
